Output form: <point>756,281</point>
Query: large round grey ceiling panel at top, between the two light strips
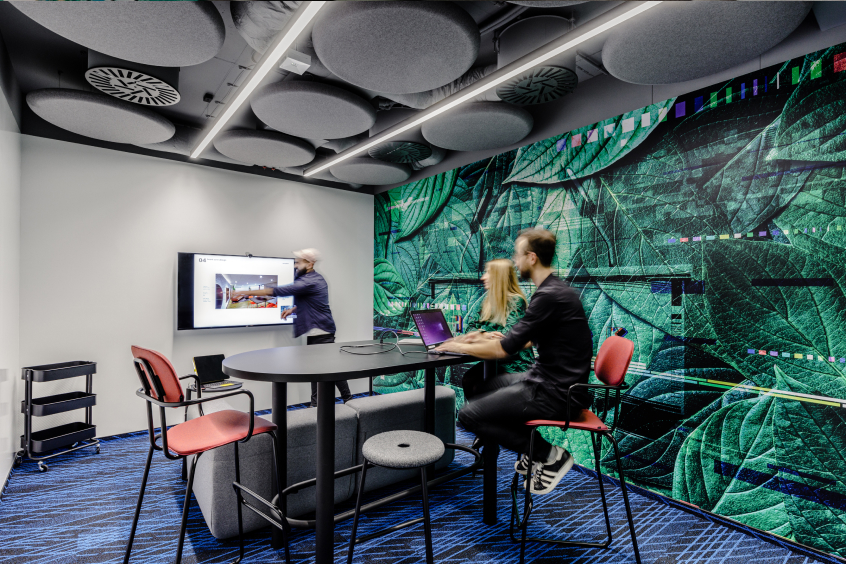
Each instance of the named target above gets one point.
<point>396,47</point>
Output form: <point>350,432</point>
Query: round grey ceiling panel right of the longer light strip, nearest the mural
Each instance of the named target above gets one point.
<point>479,126</point>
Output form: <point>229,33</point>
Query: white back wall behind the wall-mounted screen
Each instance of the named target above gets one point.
<point>99,237</point>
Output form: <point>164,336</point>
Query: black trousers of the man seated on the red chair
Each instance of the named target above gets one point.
<point>500,407</point>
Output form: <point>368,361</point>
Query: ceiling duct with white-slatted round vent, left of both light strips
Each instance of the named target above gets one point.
<point>133,82</point>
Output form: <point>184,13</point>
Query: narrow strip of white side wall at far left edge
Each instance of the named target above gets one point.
<point>10,194</point>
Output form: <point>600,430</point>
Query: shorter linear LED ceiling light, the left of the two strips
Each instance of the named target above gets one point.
<point>298,22</point>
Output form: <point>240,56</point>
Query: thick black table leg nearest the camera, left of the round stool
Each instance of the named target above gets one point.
<point>325,487</point>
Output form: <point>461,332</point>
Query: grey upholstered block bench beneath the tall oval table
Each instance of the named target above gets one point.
<point>355,422</point>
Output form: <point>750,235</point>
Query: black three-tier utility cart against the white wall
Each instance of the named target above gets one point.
<point>37,444</point>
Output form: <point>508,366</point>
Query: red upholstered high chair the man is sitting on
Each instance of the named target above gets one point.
<point>610,367</point>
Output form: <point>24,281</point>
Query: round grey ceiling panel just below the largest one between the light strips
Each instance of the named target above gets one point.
<point>313,110</point>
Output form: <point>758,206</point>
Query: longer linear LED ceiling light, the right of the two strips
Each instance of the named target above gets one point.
<point>495,80</point>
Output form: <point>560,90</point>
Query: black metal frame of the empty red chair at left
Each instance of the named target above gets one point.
<point>142,367</point>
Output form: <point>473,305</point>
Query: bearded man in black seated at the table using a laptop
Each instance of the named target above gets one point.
<point>555,322</point>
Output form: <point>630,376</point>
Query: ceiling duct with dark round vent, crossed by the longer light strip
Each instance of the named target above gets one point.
<point>540,84</point>
